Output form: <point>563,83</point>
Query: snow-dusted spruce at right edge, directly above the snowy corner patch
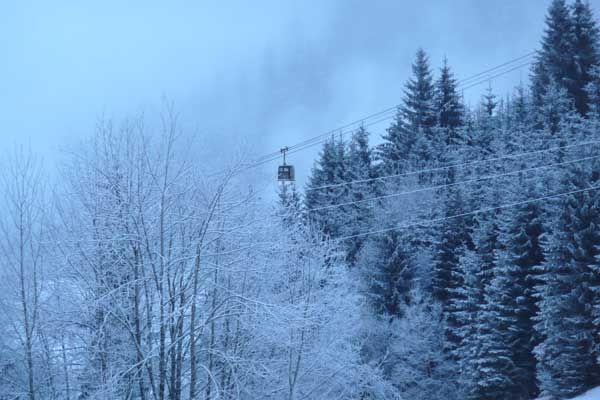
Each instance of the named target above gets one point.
<point>566,361</point>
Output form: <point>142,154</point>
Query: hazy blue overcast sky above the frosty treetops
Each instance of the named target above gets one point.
<point>263,73</point>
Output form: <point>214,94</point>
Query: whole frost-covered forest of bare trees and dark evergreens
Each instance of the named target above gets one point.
<point>458,258</point>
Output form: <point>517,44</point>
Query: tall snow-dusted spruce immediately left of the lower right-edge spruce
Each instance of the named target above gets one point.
<point>505,358</point>
